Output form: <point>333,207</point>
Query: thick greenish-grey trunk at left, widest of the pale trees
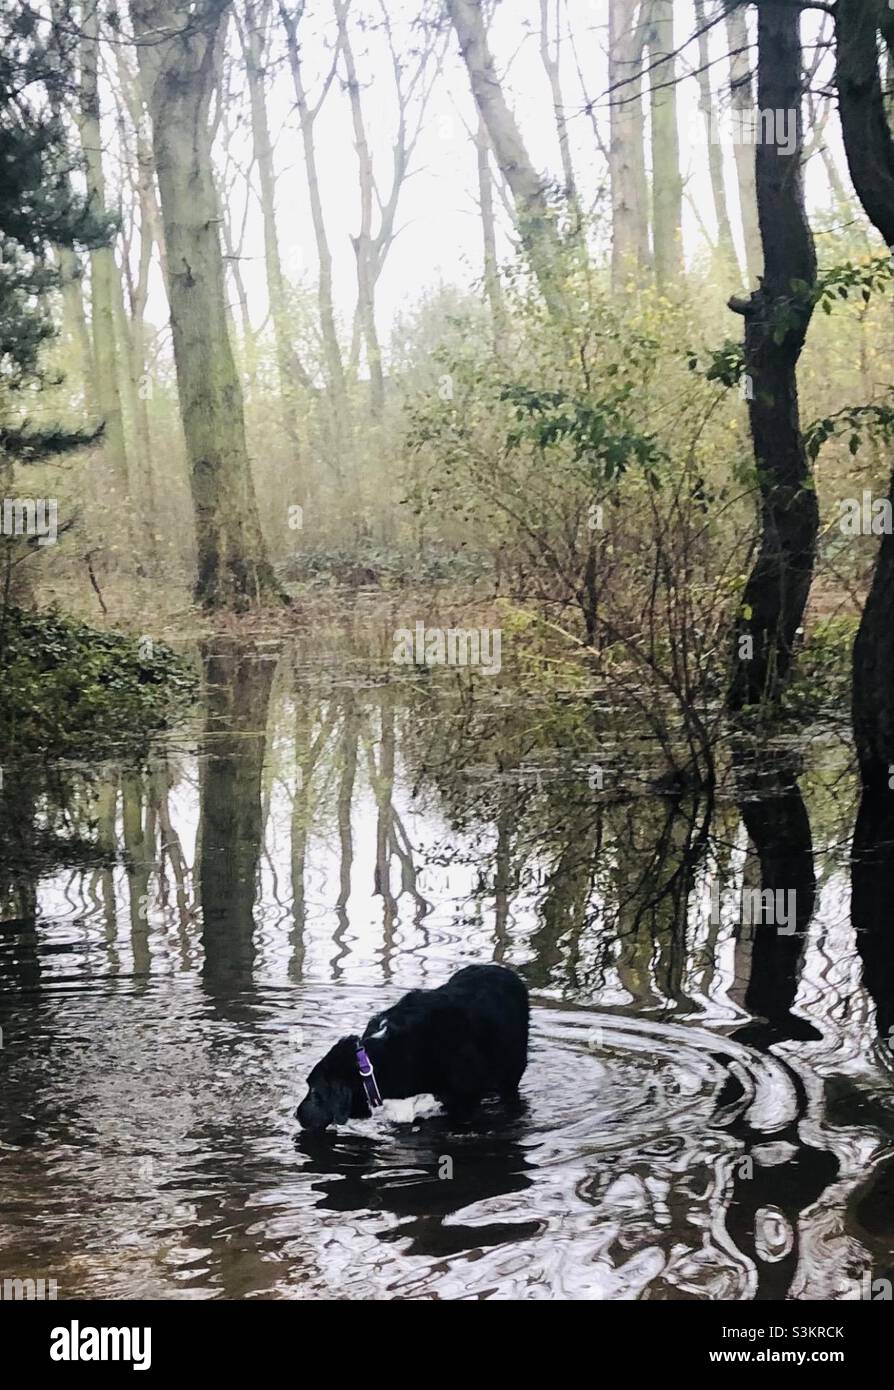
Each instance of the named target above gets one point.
<point>177,59</point>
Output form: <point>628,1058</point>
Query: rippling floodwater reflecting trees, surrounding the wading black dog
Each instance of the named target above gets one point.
<point>708,1110</point>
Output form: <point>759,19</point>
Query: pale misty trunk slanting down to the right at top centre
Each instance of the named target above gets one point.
<point>536,220</point>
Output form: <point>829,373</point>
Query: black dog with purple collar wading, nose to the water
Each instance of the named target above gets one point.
<point>460,1043</point>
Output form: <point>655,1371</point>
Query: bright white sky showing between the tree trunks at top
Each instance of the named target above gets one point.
<point>440,229</point>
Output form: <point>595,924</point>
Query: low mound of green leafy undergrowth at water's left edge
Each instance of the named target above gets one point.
<point>66,687</point>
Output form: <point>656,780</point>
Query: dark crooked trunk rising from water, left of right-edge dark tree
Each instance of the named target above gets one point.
<point>777,322</point>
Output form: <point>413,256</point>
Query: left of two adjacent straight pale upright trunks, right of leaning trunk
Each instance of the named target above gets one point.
<point>631,218</point>
